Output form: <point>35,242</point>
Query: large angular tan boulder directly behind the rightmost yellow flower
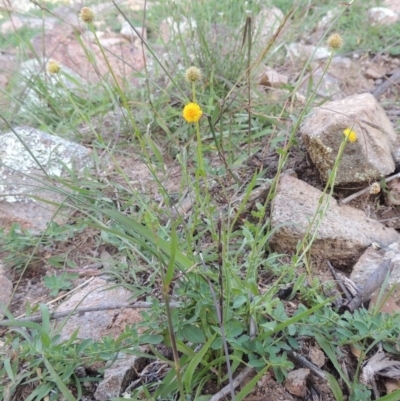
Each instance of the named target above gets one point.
<point>374,153</point>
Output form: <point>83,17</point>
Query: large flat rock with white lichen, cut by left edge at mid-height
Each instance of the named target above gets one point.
<point>21,178</point>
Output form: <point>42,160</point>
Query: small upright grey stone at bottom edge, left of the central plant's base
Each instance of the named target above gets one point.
<point>118,376</point>
